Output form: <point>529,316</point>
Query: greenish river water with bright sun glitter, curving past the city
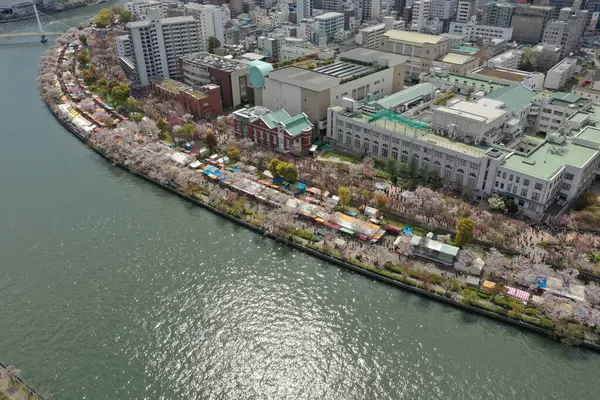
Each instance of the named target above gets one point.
<point>111,288</point>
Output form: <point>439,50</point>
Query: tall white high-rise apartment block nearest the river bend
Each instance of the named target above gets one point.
<point>158,43</point>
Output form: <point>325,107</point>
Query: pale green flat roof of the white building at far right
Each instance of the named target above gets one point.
<point>545,161</point>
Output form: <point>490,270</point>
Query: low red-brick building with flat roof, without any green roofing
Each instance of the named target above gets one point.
<point>203,102</point>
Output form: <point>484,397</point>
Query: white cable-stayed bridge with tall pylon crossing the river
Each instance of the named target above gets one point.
<point>32,24</point>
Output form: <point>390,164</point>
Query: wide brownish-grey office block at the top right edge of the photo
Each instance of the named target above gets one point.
<point>528,23</point>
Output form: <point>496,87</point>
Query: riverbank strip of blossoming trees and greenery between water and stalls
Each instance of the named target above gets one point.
<point>204,193</point>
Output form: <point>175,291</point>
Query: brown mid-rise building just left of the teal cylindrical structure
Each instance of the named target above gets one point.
<point>199,69</point>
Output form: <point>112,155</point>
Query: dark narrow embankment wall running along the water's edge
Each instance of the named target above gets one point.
<point>323,256</point>
